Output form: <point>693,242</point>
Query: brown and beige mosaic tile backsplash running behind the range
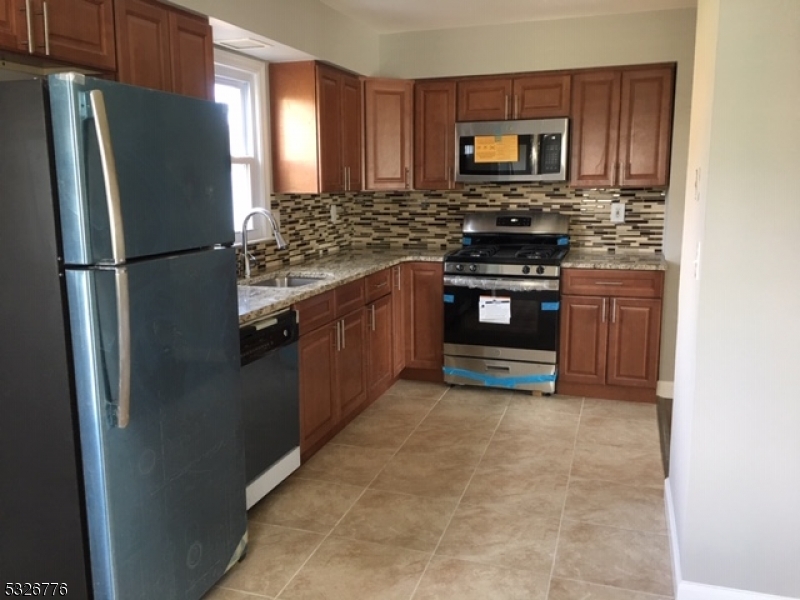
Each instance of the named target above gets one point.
<point>432,220</point>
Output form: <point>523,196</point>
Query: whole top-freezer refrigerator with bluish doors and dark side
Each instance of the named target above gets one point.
<point>121,436</point>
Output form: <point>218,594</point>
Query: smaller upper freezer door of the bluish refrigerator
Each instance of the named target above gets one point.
<point>173,170</point>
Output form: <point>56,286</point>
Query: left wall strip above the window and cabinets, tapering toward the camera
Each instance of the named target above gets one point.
<point>306,25</point>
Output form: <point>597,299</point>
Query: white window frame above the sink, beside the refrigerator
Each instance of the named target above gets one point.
<point>238,68</point>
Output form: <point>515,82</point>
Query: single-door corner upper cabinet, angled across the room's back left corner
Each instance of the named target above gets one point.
<point>388,131</point>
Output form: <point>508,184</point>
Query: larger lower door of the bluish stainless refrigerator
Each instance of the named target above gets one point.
<point>165,495</point>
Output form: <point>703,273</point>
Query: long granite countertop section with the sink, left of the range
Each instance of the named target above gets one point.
<point>335,270</point>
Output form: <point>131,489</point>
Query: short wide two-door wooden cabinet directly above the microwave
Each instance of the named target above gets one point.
<point>534,96</point>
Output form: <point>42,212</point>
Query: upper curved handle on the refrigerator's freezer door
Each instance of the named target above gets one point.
<point>109,175</point>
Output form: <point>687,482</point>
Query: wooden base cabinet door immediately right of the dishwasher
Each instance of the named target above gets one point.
<point>316,356</point>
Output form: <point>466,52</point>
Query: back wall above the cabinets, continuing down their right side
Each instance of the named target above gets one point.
<point>664,36</point>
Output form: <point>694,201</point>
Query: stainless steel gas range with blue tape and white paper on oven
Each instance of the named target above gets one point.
<point>502,300</point>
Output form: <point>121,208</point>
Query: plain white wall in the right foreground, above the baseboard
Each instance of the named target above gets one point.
<point>735,469</point>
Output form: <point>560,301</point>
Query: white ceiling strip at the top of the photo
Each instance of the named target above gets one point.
<point>392,16</point>
